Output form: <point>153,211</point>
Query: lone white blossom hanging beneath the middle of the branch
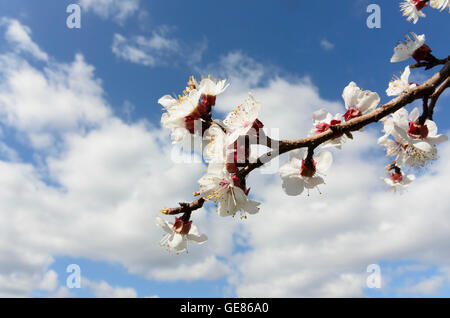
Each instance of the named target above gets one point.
<point>298,174</point>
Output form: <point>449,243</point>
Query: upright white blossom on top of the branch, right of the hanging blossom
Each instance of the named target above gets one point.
<point>358,101</point>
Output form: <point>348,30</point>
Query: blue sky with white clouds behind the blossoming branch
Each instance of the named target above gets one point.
<point>298,55</point>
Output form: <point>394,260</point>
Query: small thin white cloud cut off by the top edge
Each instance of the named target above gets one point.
<point>118,10</point>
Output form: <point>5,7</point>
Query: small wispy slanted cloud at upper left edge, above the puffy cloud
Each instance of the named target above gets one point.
<point>19,36</point>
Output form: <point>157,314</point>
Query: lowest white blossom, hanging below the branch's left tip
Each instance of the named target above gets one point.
<point>178,234</point>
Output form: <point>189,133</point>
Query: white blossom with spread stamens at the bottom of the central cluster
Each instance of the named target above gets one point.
<point>227,190</point>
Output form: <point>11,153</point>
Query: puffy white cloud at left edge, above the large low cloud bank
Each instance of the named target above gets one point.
<point>45,104</point>
